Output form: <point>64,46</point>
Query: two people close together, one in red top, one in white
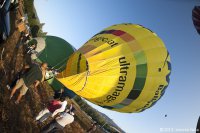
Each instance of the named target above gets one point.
<point>63,114</point>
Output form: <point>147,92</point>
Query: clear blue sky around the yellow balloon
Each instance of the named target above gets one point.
<point>76,21</point>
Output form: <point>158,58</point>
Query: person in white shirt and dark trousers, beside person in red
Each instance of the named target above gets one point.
<point>61,121</point>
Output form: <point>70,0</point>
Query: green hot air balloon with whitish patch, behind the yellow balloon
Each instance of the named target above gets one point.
<point>55,51</point>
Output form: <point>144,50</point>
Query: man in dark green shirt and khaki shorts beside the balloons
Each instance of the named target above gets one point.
<point>35,75</point>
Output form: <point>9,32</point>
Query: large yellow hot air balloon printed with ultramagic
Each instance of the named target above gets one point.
<point>125,68</point>
